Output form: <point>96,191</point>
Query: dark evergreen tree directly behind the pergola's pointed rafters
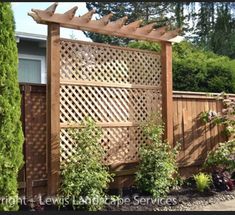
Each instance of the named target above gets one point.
<point>147,11</point>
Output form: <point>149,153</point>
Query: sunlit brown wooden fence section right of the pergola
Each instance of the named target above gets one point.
<point>195,137</point>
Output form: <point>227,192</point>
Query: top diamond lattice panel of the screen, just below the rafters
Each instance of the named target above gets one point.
<point>86,61</point>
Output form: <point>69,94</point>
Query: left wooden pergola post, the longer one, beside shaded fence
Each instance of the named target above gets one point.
<point>53,107</point>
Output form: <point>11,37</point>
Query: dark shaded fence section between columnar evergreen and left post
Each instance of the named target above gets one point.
<point>33,176</point>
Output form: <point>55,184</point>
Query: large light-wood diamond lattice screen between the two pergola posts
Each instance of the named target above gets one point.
<point>118,87</point>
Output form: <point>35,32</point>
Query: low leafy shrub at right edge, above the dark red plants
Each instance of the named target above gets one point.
<point>222,157</point>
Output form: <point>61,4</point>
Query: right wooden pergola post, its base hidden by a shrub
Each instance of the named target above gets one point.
<point>167,95</point>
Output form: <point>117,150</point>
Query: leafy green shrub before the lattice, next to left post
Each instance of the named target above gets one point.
<point>85,177</point>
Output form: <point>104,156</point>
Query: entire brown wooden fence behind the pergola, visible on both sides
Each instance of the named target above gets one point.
<point>196,139</point>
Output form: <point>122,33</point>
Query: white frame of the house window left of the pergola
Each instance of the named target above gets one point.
<point>36,57</point>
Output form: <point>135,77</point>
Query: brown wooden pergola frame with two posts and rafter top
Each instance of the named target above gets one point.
<point>105,26</point>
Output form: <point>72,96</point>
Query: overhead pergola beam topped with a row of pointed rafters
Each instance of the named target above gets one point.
<point>104,25</point>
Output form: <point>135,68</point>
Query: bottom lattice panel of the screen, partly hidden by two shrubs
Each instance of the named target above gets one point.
<point>120,144</point>
